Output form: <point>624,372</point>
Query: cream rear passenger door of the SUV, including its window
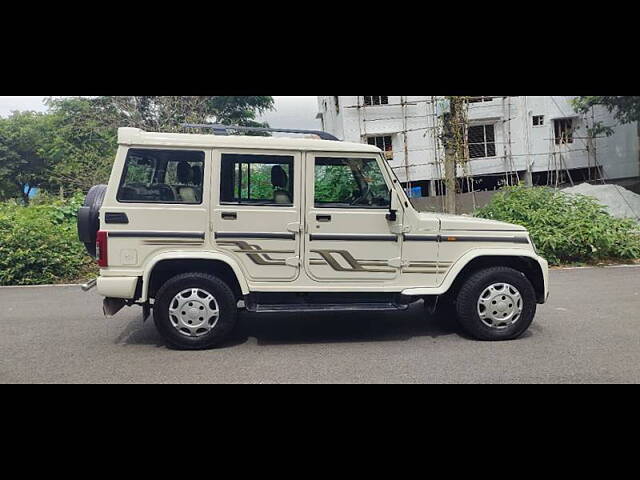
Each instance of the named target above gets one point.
<point>256,214</point>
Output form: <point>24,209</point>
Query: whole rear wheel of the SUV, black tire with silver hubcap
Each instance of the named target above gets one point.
<point>194,311</point>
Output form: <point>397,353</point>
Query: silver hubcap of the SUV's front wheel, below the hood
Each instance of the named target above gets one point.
<point>500,305</point>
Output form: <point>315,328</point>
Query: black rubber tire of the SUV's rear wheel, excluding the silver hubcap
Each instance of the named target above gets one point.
<point>227,305</point>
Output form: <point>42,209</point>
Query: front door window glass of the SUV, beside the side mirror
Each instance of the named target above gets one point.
<point>350,182</point>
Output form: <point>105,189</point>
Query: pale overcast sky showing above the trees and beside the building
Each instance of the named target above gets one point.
<point>291,112</point>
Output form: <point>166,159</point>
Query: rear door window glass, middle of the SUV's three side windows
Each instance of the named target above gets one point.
<point>256,179</point>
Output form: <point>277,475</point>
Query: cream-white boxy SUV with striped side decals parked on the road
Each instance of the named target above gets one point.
<point>197,226</point>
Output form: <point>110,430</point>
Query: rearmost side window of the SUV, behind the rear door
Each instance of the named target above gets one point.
<point>162,176</point>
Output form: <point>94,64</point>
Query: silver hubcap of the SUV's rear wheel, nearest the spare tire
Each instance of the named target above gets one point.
<point>194,312</point>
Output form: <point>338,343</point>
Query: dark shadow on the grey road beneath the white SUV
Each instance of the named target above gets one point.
<point>285,329</point>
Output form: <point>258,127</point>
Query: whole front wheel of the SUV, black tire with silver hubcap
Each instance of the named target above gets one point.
<point>496,303</point>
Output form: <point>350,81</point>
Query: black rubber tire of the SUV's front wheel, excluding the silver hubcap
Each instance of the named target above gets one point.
<point>469,295</point>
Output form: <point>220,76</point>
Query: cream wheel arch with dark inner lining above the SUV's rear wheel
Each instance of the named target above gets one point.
<point>168,264</point>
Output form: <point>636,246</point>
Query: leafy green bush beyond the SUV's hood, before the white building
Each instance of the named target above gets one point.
<point>565,228</point>
